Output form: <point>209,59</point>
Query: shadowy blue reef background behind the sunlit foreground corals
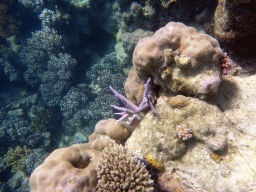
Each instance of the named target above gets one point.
<point>59,57</point>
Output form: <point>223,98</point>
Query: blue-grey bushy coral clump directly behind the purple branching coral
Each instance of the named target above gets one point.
<point>107,72</point>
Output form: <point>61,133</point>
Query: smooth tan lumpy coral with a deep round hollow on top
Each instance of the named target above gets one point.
<point>71,169</point>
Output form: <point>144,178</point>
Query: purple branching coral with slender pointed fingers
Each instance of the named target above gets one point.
<point>148,101</point>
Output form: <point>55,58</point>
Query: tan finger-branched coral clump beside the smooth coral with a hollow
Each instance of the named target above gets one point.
<point>119,170</point>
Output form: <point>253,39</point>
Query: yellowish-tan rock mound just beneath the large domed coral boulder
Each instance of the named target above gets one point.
<point>157,135</point>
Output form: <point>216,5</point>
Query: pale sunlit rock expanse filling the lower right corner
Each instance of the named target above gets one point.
<point>227,161</point>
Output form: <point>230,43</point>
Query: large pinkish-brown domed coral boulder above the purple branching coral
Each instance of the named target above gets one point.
<point>180,59</point>
